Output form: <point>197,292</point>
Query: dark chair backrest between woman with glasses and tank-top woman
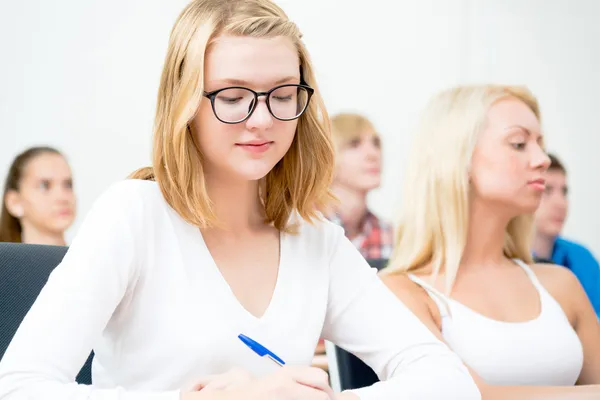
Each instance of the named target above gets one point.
<point>345,369</point>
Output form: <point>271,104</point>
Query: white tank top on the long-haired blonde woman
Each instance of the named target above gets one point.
<point>544,351</point>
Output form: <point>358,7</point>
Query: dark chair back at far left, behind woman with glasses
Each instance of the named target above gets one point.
<point>24,270</point>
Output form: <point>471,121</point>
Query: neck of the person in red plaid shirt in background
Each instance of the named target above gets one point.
<point>352,208</point>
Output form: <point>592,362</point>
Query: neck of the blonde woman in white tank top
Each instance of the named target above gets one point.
<point>485,238</point>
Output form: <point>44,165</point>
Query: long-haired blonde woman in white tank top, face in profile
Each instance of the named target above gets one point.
<point>462,257</point>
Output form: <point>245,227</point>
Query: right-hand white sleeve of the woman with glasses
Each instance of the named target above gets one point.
<point>366,319</point>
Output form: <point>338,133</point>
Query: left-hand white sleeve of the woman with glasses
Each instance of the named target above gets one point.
<point>72,310</point>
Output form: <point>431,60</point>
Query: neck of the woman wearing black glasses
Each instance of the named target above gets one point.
<point>237,204</point>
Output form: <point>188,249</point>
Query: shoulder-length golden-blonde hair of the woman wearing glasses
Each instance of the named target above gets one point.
<point>299,182</point>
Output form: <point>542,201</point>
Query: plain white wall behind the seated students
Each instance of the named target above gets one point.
<point>83,76</point>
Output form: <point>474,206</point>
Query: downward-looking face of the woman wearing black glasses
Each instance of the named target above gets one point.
<point>250,149</point>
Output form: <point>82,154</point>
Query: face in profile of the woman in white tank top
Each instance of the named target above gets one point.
<point>509,165</point>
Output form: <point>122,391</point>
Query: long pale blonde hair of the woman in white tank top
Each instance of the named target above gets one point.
<point>432,228</point>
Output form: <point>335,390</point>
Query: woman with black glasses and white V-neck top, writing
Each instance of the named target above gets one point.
<point>221,238</point>
